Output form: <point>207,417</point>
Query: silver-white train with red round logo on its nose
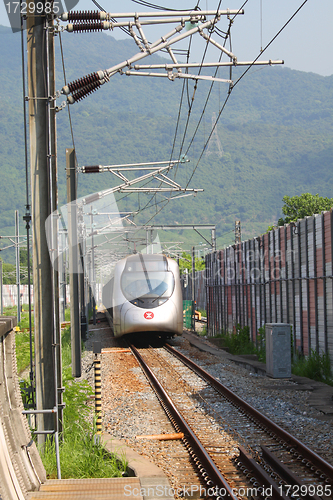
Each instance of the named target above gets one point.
<point>144,295</point>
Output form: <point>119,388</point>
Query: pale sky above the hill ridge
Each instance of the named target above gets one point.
<point>305,44</point>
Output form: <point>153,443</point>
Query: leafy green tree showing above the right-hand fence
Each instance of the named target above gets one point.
<point>298,207</point>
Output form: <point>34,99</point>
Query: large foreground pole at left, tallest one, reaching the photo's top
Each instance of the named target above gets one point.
<point>39,128</point>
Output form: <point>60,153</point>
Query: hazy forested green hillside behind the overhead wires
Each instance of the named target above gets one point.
<point>276,133</point>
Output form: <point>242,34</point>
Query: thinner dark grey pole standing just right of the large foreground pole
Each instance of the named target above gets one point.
<point>73,255</point>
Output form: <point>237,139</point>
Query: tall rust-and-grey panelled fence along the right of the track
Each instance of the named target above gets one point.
<point>283,276</point>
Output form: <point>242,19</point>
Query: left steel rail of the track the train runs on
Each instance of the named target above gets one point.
<point>210,472</point>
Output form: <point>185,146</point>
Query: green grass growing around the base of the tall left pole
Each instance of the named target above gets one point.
<point>81,455</point>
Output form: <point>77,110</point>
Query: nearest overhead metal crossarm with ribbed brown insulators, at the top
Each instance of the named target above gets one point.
<point>194,22</point>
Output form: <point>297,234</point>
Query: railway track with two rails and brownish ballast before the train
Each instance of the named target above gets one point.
<point>232,448</point>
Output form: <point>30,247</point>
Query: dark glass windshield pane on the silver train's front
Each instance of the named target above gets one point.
<point>147,289</point>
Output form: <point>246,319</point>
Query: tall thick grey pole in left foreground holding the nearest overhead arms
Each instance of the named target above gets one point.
<point>42,129</point>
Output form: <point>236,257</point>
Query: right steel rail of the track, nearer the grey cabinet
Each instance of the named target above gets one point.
<point>296,446</point>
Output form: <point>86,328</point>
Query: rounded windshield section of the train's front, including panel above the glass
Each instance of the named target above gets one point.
<point>146,280</point>
